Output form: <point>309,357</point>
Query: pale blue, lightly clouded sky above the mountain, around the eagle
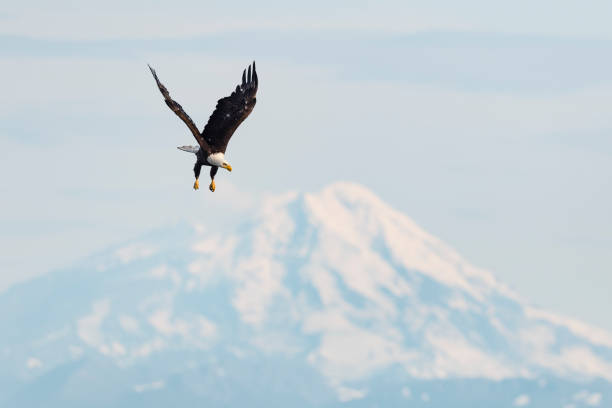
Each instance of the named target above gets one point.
<point>486,122</point>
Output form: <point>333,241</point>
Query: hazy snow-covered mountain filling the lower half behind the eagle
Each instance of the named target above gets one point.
<point>317,300</point>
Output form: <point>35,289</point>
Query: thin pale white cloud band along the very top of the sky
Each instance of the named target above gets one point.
<point>134,20</point>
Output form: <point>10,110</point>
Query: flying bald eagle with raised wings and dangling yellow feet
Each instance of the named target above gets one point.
<point>230,112</point>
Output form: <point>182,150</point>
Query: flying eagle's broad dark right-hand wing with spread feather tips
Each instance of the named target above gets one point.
<point>231,111</point>
